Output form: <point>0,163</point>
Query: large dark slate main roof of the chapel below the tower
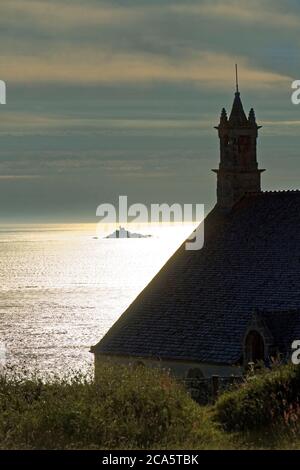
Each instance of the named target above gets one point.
<point>199,305</point>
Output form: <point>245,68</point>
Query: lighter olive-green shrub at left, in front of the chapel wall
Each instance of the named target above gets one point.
<point>127,408</point>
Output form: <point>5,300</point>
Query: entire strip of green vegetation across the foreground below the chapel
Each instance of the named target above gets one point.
<point>146,409</point>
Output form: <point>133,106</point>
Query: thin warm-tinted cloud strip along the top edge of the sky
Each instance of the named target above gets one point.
<point>67,14</point>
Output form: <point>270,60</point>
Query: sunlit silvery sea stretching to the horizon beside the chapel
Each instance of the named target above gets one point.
<point>63,286</point>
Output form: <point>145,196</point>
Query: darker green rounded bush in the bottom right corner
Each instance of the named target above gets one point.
<point>265,410</point>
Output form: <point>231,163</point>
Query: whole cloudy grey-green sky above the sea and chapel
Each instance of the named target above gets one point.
<point>120,97</point>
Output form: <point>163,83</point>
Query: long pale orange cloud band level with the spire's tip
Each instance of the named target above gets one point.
<point>101,66</point>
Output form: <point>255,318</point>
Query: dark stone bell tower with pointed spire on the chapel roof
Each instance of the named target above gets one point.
<point>238,171</point>
